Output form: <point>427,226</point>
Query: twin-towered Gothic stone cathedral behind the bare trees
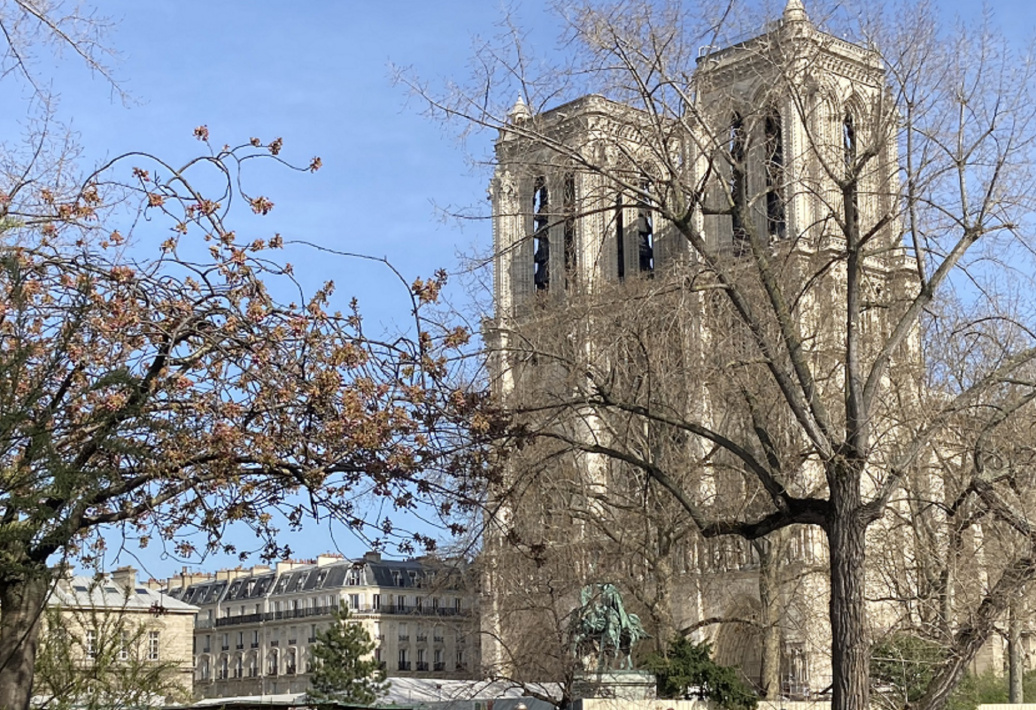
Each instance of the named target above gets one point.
<point>621,230</point>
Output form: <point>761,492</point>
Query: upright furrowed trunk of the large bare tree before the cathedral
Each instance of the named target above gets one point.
<point>850,648</point>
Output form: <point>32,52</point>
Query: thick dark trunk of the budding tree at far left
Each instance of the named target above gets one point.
<point>22,602</point>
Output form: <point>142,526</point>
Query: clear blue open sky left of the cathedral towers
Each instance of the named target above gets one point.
<point>318,74</point>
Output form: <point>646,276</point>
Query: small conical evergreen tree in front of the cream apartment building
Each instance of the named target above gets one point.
<point>342,670</point>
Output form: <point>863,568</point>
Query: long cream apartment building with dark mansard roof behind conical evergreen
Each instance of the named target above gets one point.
<point>256,627</point>
